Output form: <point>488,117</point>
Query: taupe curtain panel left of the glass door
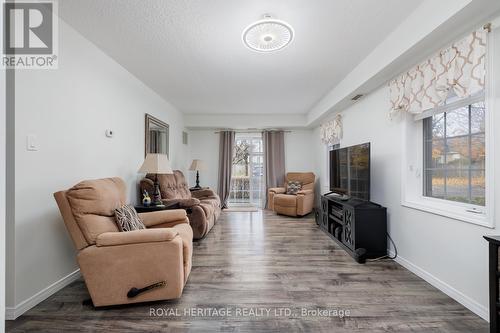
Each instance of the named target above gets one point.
<point>226,151</point>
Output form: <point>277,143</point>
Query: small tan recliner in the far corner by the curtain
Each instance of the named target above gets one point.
<point>290,204</point>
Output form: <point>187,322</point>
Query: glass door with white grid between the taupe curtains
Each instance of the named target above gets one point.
<point>247,180</point>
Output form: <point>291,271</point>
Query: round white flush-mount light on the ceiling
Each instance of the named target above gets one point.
<point>268,35</point>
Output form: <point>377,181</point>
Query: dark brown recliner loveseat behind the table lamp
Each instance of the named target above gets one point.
<point>203,206</point>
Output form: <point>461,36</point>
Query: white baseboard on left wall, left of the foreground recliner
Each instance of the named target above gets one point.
<point>12,313</point>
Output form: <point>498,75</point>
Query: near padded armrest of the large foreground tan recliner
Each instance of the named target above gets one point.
<point>135,237</point>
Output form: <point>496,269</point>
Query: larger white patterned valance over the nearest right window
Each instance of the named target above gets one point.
<point>460,68</point>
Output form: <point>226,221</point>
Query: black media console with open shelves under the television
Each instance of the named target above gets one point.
<point>358,226</point>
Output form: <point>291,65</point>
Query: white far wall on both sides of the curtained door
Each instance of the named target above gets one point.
<point>204,144</point>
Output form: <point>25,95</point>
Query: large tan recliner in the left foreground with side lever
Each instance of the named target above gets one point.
<point>112,262</point>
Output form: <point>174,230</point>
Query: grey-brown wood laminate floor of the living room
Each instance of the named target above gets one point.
<point>267,271</point>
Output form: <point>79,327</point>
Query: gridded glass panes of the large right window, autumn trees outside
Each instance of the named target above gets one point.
<point>455,152</point>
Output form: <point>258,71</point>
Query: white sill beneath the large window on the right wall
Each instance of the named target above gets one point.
<point>450,210</point>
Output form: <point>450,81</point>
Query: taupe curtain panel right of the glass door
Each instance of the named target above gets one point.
<point>274,159</point>
